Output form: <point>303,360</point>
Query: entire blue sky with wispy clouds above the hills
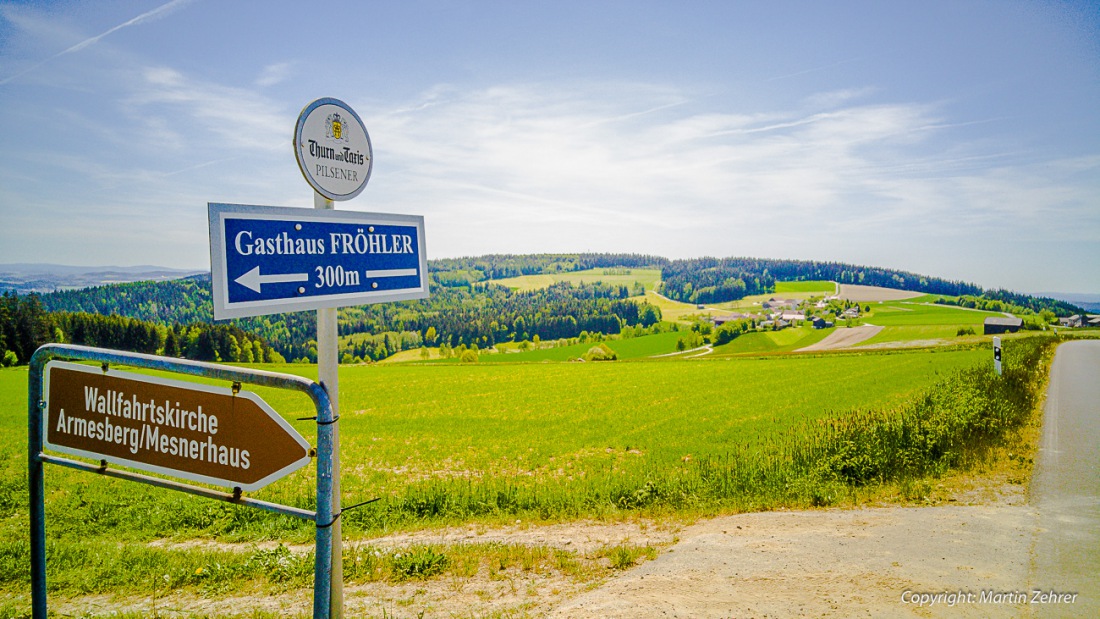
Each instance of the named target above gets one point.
<point>959,140</point>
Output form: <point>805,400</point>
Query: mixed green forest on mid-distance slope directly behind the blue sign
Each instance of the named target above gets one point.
<point>470,315</point>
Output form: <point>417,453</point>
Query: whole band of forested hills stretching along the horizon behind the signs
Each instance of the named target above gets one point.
<point>467,306</point>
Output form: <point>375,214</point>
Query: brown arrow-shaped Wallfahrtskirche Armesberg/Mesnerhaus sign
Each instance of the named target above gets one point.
<point>199,433</point>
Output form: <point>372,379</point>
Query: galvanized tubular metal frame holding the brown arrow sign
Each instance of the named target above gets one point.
<point>324,518</point>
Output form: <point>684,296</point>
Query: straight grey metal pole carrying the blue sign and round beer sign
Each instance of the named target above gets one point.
<point>328,367</point>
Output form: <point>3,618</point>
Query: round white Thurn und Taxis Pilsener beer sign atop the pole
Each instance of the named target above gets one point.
<point>333,149</point>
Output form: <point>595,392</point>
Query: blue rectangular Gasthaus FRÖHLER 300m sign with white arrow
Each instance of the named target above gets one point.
<point>273,260</point>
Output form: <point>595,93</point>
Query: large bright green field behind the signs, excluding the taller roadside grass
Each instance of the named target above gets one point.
<point>570,428</point>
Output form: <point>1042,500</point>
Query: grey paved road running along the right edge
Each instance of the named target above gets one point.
<point>1066,488</point>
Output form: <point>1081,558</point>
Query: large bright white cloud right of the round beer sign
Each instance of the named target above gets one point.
<point>628,168</point>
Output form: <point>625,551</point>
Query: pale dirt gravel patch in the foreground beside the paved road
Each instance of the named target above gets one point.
<point>829,563</point>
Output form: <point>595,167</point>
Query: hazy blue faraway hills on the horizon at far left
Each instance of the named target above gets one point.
<point>25,279</point>
